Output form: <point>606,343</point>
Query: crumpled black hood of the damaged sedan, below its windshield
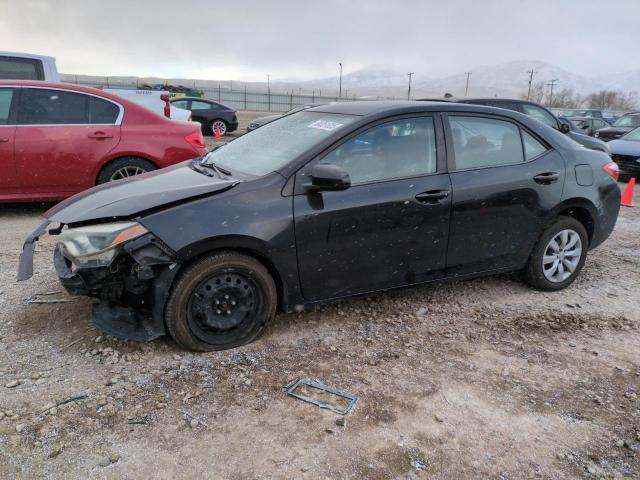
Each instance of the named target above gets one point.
<point>126,198</point>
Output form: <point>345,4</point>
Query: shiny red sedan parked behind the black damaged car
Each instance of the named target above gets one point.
<point>57,140</point>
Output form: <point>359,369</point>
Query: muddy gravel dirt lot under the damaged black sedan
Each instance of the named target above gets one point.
<point>480,379</point>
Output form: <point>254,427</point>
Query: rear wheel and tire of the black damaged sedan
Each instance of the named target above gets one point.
<point>562,245</point>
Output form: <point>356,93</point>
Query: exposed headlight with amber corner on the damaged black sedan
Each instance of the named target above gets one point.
<point>97,245</point>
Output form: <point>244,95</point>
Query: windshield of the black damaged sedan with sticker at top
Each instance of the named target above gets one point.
<point>275,144</point>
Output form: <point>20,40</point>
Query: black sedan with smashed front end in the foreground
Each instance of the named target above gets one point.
<point>331,202</point>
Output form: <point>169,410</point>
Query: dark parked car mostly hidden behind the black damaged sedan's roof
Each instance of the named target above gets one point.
<point>539,113</point>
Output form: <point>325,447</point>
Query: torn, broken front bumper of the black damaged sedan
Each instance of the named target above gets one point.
<point>132,289</point>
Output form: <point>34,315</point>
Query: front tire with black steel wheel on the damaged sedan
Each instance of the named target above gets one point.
<point>221,301</point>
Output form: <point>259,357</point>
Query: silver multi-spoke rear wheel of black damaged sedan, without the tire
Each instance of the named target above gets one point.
<point>562,256</point>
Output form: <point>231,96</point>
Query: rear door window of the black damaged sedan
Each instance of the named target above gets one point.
<point>484,142</point>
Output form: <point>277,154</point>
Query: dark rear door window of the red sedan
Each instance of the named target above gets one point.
<point>43,106</point>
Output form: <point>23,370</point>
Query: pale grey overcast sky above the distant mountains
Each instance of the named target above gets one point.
<point>298,39</point>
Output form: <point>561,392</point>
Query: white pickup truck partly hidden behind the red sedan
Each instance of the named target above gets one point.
<point>26,66</point>
